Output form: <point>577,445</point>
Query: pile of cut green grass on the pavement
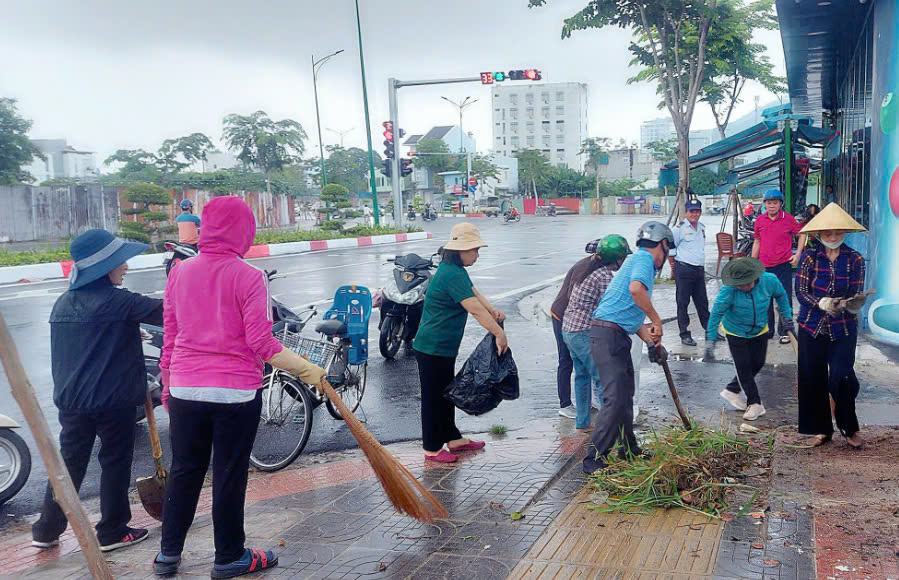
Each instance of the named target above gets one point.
<point>688,469</point>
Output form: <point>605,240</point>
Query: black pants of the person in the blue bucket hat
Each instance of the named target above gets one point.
<point>76,441</point>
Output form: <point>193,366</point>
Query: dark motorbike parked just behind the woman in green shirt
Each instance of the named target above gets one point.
<point>402,302</point>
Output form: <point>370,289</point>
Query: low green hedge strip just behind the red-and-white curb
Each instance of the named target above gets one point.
<point>61,253</point>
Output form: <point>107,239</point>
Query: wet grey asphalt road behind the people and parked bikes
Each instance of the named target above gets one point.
<point>521,258</point>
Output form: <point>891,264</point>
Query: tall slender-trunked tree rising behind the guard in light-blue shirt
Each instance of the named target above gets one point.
<point>670,43</point>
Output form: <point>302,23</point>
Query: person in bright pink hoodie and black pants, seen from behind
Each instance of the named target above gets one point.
<point>217,322</point>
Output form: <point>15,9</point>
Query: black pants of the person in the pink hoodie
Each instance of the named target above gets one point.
<point>196,429</point>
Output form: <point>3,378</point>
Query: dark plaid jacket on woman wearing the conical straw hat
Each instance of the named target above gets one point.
<point>819,277</point>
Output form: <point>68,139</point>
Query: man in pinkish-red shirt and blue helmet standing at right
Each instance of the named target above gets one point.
<point>773,245</point>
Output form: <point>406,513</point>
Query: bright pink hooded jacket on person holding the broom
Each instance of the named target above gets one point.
<point>217,309</point>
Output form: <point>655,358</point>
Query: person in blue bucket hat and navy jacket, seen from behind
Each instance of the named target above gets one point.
<point>99,378</point>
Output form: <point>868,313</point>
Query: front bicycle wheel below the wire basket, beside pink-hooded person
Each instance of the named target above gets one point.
<point>284,424</point>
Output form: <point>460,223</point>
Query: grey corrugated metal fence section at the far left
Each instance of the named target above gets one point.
<point>30,213</point>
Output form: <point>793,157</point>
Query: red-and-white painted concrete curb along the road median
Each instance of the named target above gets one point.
<point>51,270</point>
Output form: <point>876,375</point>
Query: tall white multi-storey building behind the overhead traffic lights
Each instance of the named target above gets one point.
<point>551,118</point>
